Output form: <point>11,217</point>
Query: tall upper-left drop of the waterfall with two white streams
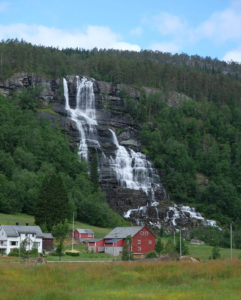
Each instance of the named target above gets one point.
<point>83,114</point>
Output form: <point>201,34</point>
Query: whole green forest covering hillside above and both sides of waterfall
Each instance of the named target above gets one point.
<point>195,145</point>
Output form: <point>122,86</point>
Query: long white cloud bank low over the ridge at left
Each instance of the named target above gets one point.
<point>93,36</point>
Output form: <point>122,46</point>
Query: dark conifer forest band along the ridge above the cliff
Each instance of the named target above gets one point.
<point>199,78</point>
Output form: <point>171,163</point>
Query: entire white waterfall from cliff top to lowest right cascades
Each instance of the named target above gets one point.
<point>131,169</point>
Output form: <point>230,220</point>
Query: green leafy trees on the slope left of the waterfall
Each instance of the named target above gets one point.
<point>31,151</point>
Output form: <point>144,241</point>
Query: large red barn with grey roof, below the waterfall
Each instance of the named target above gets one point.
<point>143,240</point>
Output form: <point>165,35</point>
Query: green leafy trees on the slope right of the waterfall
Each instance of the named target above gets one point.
<point>197,148</point>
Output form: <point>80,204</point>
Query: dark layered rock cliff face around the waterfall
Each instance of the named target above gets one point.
<point>111,118</point>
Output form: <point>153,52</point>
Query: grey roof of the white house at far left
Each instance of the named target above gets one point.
<point>16,230</point>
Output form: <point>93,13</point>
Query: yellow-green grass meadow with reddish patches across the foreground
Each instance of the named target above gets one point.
<point>122,280</point>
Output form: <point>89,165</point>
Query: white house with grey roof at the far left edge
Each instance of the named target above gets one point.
<point>12,236</point>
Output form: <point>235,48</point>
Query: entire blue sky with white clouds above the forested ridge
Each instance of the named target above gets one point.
<point>206,28</point>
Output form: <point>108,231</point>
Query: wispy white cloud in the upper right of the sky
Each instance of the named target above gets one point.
<point>175,32</point>
